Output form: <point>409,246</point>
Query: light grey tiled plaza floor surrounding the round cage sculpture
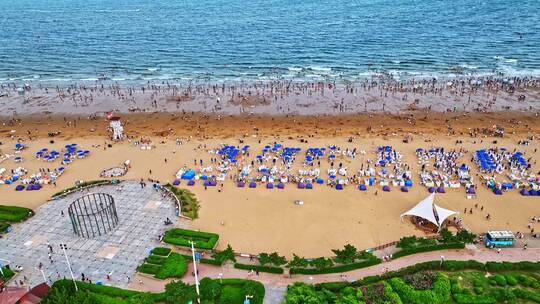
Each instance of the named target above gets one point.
<point>141,214</point>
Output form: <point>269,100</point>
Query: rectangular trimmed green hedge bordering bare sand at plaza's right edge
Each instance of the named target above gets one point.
<point>182,237</point>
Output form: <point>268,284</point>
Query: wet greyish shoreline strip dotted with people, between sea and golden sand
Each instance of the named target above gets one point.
<point>280,98</point>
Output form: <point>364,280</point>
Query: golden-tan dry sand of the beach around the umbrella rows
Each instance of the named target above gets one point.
<point>259,220</point>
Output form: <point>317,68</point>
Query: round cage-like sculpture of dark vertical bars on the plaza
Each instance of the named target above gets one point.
<point>93,215</point>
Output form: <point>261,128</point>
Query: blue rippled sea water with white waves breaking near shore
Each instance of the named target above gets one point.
<point>66,41</point>
